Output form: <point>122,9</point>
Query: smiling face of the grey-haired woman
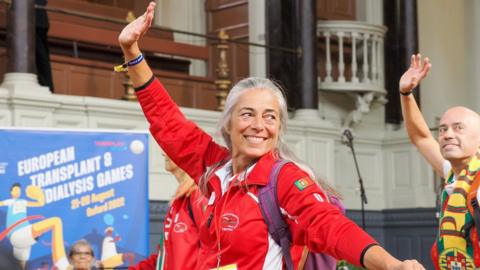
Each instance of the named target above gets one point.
<point>255,124</point>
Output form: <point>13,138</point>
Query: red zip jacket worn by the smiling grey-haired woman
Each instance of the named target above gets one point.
<point>234,234</point>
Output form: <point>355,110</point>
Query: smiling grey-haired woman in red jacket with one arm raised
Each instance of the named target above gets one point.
<point>233,234</point>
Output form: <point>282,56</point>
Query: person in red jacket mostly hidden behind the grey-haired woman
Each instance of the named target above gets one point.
<point>181,244</point>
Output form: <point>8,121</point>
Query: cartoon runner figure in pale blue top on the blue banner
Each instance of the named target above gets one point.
<point>23,230</point>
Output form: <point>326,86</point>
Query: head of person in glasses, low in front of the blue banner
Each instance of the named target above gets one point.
<point>82,257</point>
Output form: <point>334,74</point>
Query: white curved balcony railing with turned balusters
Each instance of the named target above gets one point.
<point>351,56</point>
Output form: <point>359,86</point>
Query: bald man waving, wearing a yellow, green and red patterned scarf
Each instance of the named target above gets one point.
<point>456,158</point>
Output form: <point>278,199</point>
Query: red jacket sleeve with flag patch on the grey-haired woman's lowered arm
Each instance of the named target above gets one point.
<point>315,222</point>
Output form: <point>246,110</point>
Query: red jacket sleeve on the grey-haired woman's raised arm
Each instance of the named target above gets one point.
<point>183,141</point>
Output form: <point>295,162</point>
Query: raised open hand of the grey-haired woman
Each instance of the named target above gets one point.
<point>134,30</point>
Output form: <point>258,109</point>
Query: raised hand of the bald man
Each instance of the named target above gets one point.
<point>415,74</point>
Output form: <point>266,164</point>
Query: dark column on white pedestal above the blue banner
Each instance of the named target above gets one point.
<point>30,103</point>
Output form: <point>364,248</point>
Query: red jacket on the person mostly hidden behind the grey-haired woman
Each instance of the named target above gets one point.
<point>181,245</point>
